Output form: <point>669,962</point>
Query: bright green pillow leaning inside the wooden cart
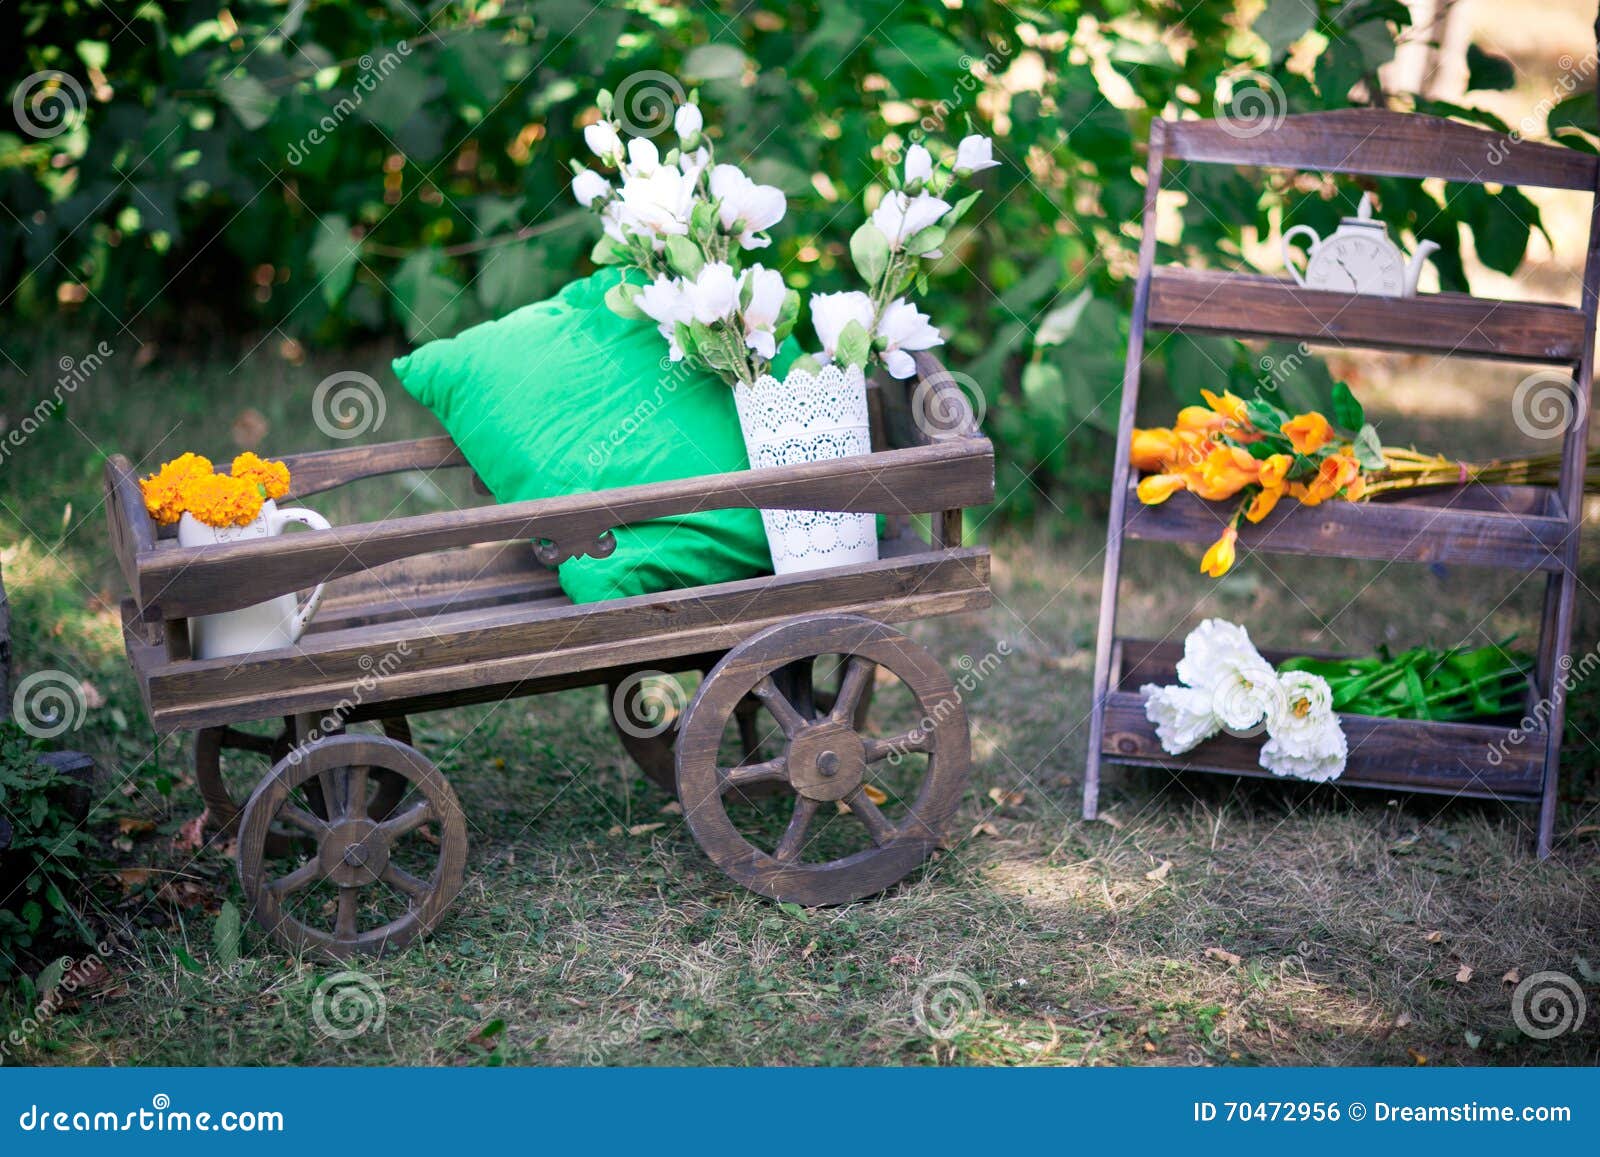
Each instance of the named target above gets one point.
<point>566,398</point>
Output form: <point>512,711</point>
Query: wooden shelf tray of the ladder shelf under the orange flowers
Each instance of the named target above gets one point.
<point>1521,535</point>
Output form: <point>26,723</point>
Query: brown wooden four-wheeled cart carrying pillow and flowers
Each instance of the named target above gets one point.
<point>354,844</point>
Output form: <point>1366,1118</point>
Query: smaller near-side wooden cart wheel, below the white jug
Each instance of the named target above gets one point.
<point>367,886</point>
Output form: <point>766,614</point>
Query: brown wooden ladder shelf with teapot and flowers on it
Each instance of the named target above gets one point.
<point>1524,529</point>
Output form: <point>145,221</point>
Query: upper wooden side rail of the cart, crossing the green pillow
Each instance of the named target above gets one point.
<point>225,577</point>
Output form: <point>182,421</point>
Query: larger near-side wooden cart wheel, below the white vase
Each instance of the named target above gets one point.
<point>826,761</point>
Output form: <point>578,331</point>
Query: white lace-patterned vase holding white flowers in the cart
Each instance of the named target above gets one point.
<point>810,418</point>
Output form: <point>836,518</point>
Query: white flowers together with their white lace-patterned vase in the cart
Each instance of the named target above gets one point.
<point>689,225</point>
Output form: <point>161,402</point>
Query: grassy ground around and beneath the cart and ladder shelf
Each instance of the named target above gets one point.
<point>1351,915</point>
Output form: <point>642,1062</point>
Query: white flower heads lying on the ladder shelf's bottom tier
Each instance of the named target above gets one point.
<point>1225,686</point>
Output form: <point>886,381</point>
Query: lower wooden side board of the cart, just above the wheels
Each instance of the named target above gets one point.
<point>511,646</point>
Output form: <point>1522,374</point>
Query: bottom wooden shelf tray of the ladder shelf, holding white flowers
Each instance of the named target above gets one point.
<point>1466,759</point>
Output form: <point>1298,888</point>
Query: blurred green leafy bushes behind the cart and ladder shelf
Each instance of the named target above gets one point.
<point>190,193</point>
